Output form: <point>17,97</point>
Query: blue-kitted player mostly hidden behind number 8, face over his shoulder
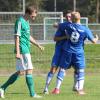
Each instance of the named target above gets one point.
<point>60,39</point>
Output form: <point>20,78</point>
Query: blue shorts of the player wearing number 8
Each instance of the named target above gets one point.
<point>76,60</point>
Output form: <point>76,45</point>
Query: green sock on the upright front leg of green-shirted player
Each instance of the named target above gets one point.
<point>30,84</point>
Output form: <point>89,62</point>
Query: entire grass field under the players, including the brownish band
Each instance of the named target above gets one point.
<point>41,61</point>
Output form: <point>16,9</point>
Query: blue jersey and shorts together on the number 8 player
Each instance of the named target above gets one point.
<point>73,51</point>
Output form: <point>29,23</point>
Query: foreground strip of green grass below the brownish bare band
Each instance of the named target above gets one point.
<point>18,91</point>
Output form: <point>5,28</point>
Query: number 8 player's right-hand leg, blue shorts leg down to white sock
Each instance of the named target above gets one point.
<point>79,73</point>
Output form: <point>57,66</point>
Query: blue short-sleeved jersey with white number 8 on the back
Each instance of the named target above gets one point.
<point>77,33</point>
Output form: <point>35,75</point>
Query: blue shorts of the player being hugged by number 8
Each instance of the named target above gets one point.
<point>56,57</point>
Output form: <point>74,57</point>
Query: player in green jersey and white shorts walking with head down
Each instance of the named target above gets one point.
<point>22,50</point>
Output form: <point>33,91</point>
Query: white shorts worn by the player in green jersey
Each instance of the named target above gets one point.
<point>24,63</point>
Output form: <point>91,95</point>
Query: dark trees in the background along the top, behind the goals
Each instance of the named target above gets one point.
<point>87,8</point>
